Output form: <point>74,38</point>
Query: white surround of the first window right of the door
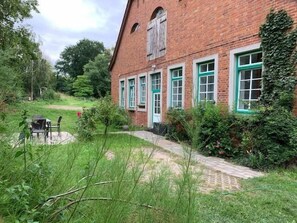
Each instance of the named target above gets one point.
<point>169,83</point>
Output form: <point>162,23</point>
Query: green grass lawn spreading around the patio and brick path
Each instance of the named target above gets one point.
<point>116,172</point>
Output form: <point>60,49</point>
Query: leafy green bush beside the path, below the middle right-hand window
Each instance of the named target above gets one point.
<point>207,127</point>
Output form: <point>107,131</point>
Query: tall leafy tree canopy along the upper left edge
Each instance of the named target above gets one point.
<point>22,68</point>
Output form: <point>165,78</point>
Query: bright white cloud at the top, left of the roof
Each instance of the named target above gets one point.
<point>73,15</point>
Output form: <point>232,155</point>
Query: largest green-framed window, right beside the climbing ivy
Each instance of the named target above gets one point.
<point>248,81</point>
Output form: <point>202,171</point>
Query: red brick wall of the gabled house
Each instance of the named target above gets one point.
<point>195,29</point>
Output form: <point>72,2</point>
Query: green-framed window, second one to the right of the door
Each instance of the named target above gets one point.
<point>206,81</point>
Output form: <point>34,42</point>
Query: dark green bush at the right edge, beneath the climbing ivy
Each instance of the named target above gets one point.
<point>273,139</point>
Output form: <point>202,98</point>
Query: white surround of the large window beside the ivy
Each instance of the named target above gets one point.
<point>233,71</point>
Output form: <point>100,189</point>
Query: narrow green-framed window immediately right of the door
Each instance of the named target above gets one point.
<point>176,88</point>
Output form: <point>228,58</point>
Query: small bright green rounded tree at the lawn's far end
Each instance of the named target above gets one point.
<point>82,87</point>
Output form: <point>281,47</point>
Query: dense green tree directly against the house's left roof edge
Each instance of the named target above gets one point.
<point>97,72</point>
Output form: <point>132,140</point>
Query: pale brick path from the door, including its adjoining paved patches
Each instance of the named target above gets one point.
<point>216,173</point>
